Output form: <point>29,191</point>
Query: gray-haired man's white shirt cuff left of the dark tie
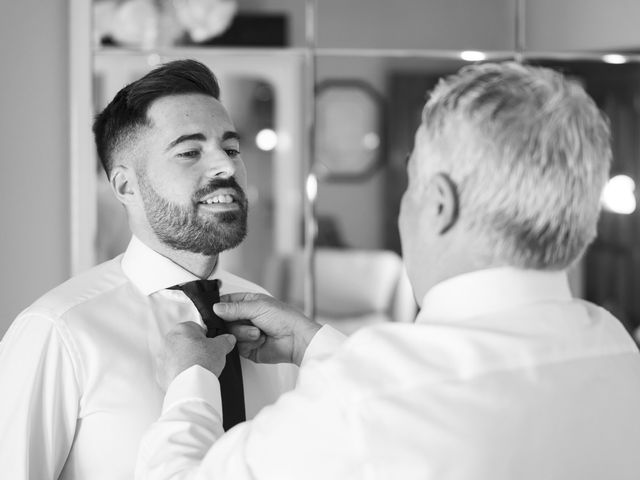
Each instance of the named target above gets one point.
<point>194,383</point>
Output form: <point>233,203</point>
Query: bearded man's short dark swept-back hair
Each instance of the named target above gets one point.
<point>127,112</point>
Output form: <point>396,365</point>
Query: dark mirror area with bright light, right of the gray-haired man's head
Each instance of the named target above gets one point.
<point>612,262</point>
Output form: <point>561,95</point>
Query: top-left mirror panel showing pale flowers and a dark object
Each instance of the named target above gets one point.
<point>148,25</point>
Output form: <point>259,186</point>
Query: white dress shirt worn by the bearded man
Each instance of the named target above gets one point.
<point>77,381</point>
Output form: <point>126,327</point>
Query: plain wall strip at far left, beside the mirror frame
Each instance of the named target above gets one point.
<point>34,240</point>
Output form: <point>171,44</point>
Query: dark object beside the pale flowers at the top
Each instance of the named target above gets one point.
<point>252,30</point>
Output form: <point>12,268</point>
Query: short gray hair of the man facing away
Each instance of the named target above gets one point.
<point>529,151</point>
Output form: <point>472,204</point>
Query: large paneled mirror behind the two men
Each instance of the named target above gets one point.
<point>394,53</point>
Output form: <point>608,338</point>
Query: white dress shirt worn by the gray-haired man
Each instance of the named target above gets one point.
<point>504,376</point>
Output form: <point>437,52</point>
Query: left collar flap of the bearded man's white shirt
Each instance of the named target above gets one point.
<point>150,271</point>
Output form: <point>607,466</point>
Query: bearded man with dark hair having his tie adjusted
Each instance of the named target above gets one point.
<point>76,367</point>
